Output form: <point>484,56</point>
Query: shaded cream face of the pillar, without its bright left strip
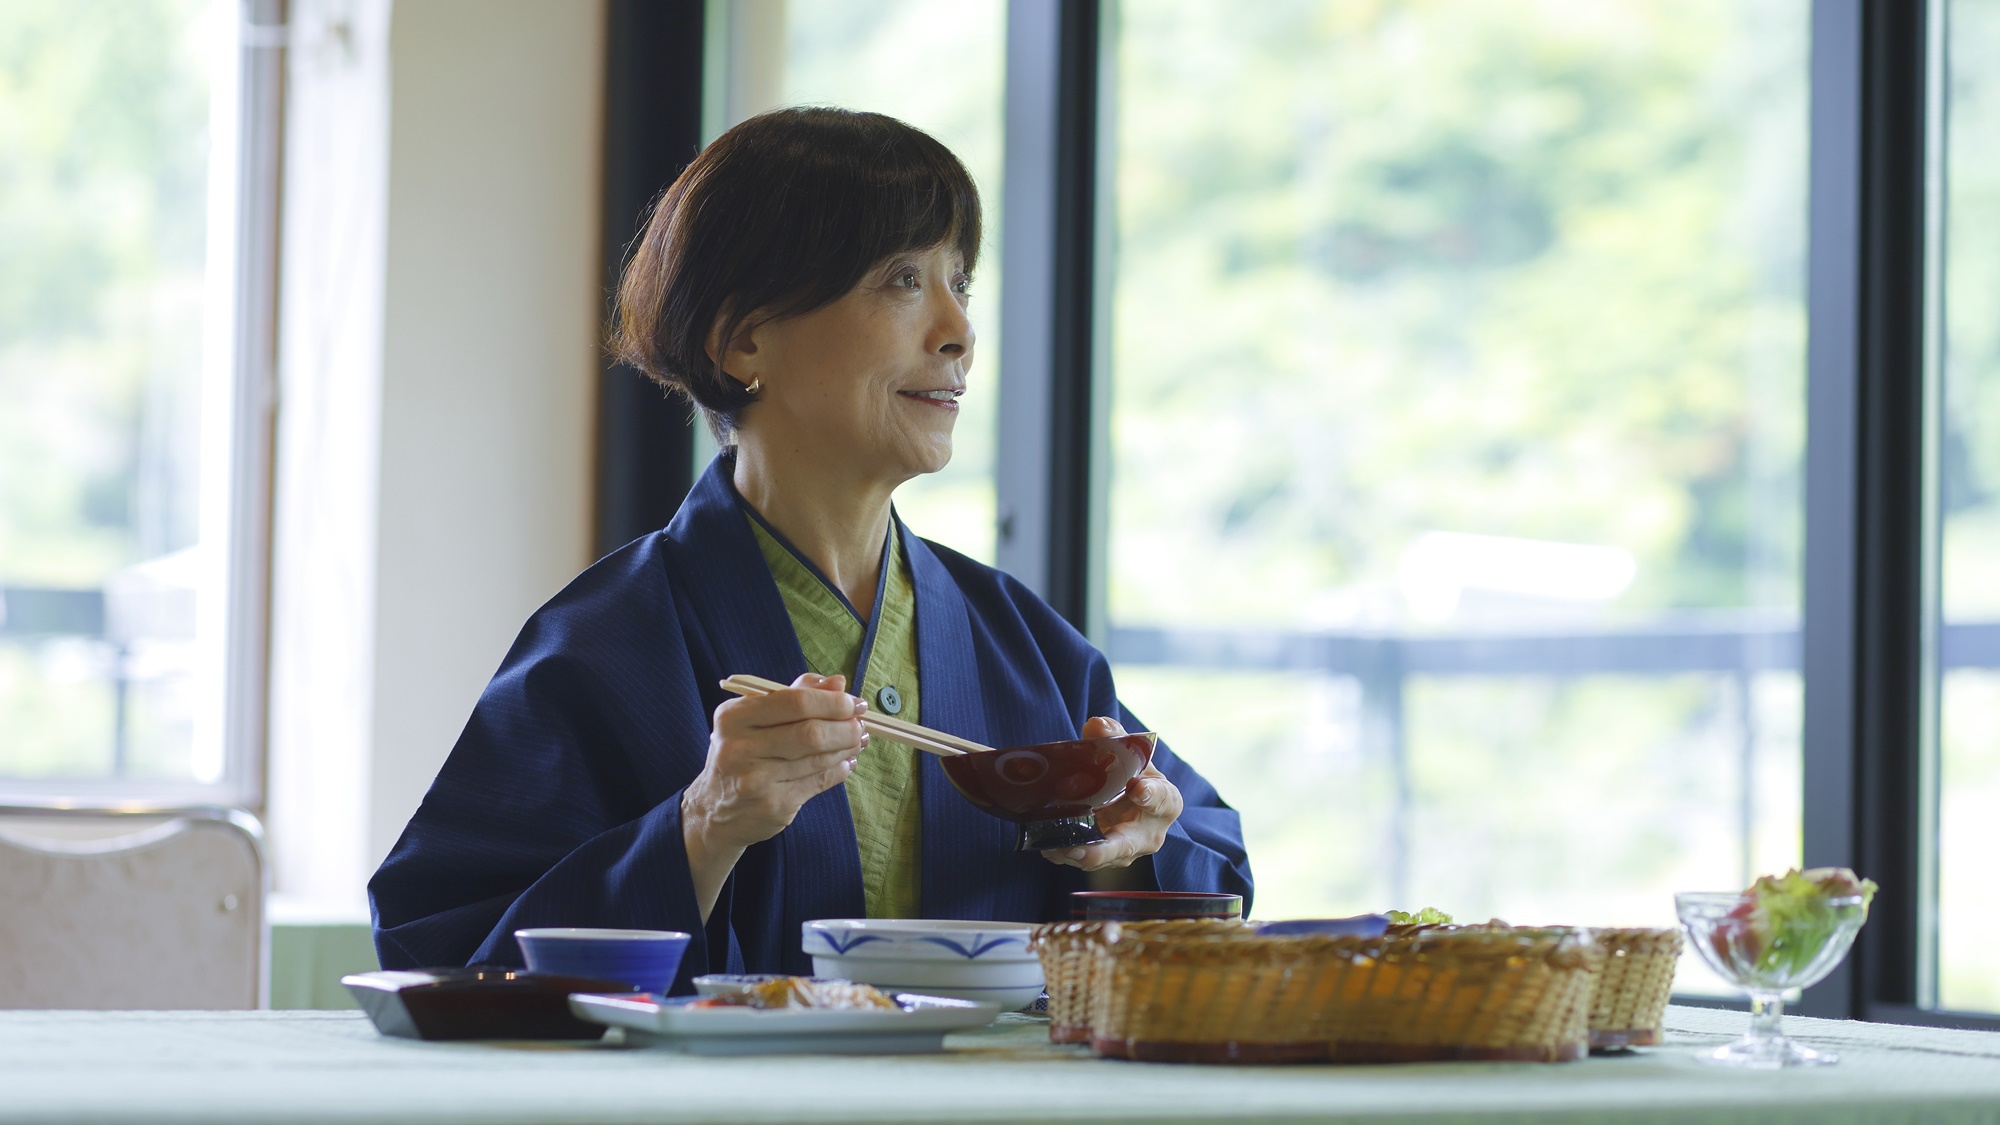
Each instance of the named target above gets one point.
<point>491,359</point>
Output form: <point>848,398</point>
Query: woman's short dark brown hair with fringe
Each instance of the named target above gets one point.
<point>781,215</point>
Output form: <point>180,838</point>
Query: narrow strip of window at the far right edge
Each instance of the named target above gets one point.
<point>1967,465</point>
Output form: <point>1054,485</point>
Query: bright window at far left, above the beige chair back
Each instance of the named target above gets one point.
<point>125,355</point>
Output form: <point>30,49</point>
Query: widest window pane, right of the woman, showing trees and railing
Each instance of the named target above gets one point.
<point>1457,421</point>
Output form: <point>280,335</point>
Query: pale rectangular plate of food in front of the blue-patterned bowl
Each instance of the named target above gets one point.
<point>651,1020</point>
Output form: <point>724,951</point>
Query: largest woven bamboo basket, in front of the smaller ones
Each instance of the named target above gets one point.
<point>1451,994</point>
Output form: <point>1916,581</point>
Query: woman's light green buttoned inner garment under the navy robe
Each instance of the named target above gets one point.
<point>883,794</point>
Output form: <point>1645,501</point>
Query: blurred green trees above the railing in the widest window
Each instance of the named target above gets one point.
<point>1511,269</point>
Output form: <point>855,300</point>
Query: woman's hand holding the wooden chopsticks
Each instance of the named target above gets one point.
<point>767,758</point>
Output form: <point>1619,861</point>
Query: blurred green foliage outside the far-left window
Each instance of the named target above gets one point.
<point>103,223</point>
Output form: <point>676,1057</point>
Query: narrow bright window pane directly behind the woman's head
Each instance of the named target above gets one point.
<point>937,65</point>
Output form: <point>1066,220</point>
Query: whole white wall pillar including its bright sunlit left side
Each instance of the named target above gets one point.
<point>437,487</point>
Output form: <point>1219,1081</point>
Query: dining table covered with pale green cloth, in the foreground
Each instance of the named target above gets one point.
<point>337,1068</point>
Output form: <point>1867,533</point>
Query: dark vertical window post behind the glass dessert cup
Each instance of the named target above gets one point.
<point>1865,481</point>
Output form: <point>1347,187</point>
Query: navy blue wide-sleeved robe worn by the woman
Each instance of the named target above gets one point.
<point>561,802</point>
